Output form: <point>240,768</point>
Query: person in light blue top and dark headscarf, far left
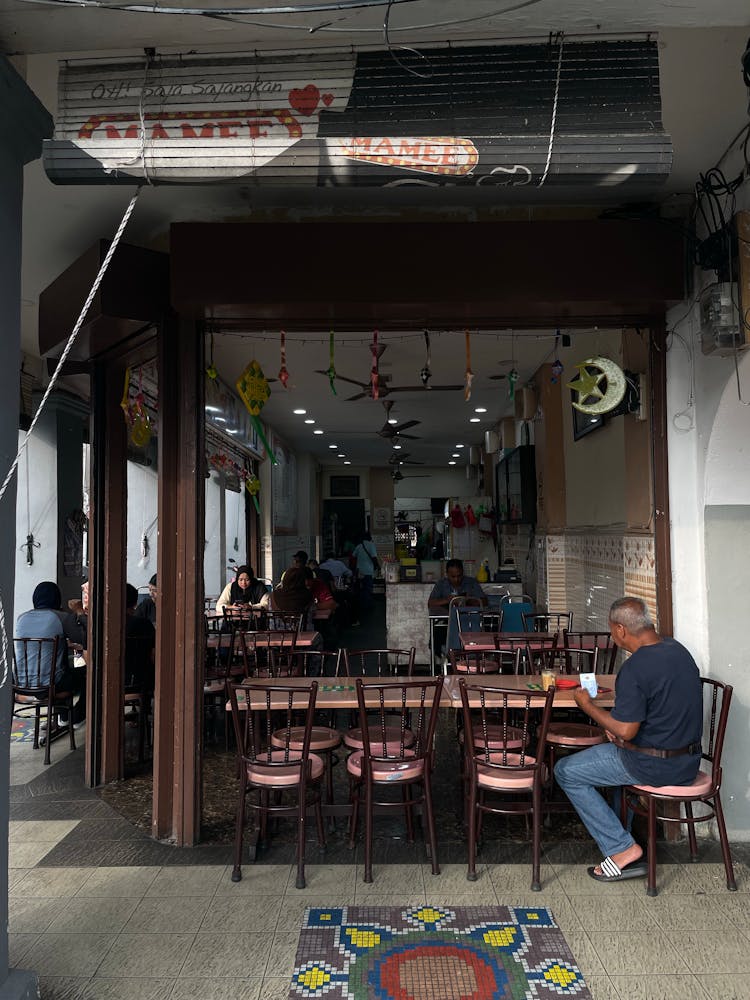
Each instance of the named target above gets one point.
<point>47,620</point>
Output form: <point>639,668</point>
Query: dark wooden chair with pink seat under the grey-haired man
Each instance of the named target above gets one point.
<point>705,789</point>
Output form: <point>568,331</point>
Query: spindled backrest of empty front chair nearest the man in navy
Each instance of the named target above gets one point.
<point>507,708</point>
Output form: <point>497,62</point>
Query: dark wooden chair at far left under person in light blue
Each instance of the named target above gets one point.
<point>32,659</point>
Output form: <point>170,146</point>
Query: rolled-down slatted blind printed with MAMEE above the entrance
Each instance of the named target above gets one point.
<point>475,115</point>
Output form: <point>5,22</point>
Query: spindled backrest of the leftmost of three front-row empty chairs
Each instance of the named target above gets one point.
<point>275,712</point>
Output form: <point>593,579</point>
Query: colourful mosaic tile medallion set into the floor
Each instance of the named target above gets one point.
<point>434,953</point>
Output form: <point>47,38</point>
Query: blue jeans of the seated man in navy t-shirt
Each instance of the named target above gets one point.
<point>579,775</point>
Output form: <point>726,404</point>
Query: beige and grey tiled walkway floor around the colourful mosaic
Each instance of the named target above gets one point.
<point>101,911</point>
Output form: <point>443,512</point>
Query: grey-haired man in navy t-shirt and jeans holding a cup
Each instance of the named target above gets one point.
<point>654,733</point>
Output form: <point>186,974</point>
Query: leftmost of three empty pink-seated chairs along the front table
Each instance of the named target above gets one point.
<point>276,759</point>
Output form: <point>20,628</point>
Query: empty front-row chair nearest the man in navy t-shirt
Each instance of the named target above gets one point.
<point>504,768</point>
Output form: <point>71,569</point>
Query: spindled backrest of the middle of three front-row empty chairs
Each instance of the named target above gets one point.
<point>415,702</point>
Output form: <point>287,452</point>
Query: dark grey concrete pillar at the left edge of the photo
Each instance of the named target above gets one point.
<point>23,124</point>
